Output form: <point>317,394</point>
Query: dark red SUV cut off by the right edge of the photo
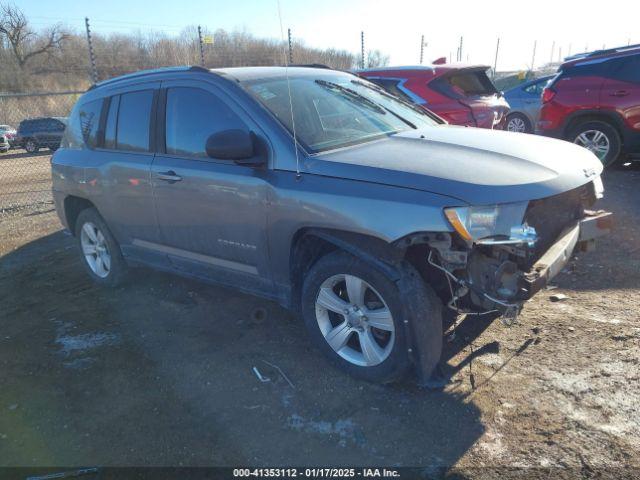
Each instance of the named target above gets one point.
<point>594,101</point>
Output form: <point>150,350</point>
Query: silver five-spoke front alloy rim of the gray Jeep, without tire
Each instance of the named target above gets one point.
<point>355,320</point>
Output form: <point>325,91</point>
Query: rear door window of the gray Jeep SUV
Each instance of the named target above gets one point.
<point>134,116</point>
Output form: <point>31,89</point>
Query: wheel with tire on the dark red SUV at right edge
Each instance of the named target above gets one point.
<point>593,135</point>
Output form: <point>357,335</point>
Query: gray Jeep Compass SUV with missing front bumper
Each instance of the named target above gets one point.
<point>315,188</point>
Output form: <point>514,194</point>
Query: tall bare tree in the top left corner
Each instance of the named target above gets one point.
<point>24,42</point>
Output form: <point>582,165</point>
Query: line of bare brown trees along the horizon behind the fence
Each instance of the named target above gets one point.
<point>57,58</point>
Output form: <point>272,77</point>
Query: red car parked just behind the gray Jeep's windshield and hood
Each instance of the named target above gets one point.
<point>461,94</point>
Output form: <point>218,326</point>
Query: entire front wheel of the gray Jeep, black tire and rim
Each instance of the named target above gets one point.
<point>386,363</point>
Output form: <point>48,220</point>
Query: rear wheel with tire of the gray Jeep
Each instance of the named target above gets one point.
<point>113,271</point>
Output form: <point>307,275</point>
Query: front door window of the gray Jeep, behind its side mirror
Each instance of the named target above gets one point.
<point>192,115</point>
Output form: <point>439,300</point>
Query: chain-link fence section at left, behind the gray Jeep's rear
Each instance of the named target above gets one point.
<point>25,177</point>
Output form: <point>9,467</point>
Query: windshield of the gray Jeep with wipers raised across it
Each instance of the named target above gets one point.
<point>337,111</point>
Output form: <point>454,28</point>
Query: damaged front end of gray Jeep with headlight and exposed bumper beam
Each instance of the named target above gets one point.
<point>500,255</point>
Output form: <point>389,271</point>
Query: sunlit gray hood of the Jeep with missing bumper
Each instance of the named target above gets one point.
<point>474,165</point>
